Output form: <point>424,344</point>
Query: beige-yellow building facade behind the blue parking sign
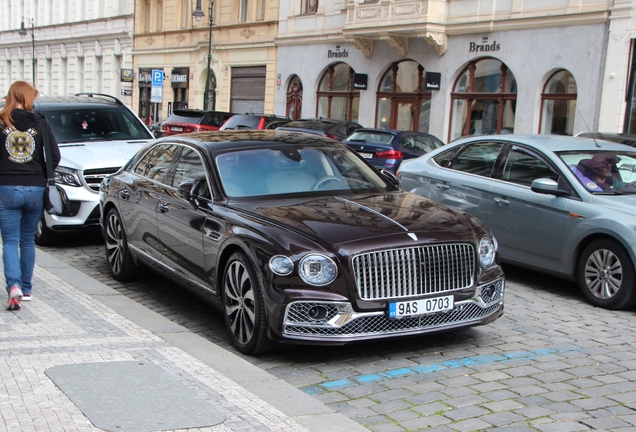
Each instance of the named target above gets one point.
<point>177,38</point>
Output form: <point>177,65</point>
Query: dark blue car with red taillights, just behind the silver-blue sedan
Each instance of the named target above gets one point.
<point>386,149</point>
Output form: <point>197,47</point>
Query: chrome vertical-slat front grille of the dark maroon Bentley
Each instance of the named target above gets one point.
<point>415,271</point>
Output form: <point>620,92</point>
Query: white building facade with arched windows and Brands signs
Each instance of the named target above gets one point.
<point>451,68</point>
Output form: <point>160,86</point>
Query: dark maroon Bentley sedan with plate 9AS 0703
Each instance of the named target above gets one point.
<point>297,239</point>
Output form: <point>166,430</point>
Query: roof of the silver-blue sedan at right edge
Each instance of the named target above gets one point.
<point>555,143</point>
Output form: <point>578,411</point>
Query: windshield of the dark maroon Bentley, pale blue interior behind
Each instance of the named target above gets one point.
<point>292,170</point>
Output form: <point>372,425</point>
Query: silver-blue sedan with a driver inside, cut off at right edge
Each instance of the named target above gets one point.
<point>556,204</point>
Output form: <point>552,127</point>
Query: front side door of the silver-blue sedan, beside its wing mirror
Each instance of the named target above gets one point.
<point>527,225</point>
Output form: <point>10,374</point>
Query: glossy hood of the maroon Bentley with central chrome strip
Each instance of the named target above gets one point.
<point>360,218</point>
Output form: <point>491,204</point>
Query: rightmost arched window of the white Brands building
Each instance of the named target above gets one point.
<point>558,104</point>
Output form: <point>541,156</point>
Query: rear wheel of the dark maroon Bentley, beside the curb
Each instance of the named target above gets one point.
<point>120,262</point>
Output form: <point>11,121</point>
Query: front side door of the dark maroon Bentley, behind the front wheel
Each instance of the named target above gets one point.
<point>180,223</point>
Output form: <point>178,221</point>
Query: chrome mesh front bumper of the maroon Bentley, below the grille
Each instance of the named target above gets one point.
<point>340,324</point>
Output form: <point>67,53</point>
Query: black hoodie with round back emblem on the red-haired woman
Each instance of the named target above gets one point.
<point>21,150</point>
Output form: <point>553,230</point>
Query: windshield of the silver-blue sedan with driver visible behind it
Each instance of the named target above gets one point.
<point>603,171</point>
